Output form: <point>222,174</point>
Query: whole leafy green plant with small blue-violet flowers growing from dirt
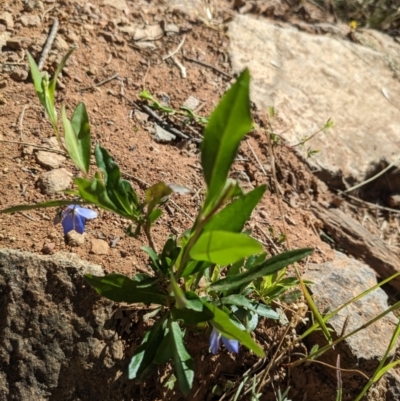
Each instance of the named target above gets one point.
<point>214,249</point>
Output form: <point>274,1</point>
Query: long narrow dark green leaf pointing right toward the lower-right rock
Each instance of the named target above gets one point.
<point>265,268</point>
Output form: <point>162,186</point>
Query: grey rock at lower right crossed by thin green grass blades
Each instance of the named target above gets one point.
<point>336,283</point>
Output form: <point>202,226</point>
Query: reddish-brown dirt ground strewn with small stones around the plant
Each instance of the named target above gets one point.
<point>103,32</point>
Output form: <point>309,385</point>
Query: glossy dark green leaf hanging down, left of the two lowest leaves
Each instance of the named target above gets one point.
<point>142,365</point>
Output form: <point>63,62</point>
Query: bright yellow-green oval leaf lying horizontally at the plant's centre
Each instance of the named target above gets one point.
<point>223,248</point>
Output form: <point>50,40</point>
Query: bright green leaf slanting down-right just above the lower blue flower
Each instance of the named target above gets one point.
<point>223,324</point>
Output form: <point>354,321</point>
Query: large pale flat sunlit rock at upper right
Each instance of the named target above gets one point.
<point>310,78</point>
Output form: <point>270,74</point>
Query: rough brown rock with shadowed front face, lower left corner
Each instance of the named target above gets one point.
<point>57,337</point>
